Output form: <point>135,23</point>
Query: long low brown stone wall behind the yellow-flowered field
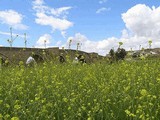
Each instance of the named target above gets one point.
<point>14,55</point>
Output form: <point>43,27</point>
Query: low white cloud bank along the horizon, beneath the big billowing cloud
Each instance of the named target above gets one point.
<point>103,46</point>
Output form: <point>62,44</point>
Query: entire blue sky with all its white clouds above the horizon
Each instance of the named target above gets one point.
<point>97,24</point>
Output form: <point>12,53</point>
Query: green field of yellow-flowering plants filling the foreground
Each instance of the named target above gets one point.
<point>101,91</point>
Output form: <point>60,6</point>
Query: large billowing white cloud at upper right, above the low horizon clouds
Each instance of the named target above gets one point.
<point>142,20</point>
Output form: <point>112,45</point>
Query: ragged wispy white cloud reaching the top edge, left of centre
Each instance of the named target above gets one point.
<point>56,18</point>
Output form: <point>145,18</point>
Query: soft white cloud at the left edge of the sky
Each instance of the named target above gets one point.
<point>12,18</point>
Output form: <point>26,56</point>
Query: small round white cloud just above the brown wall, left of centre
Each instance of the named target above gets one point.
<point>44,39</point>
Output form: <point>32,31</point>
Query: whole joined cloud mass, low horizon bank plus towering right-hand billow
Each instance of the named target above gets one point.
<point>142,24</point>
